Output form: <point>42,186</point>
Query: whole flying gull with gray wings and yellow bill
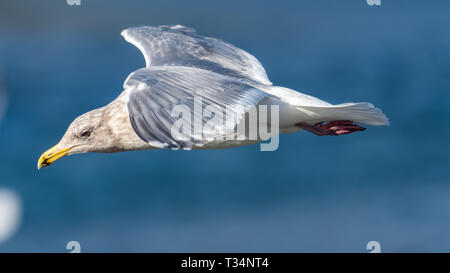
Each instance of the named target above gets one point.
<point>212,83</point>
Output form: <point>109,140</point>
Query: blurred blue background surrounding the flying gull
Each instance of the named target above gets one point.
<point>314,194</point>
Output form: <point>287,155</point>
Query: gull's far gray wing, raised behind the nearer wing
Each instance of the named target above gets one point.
<point>181,46</point>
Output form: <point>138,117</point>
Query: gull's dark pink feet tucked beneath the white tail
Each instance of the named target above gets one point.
<point>333,128</point>
